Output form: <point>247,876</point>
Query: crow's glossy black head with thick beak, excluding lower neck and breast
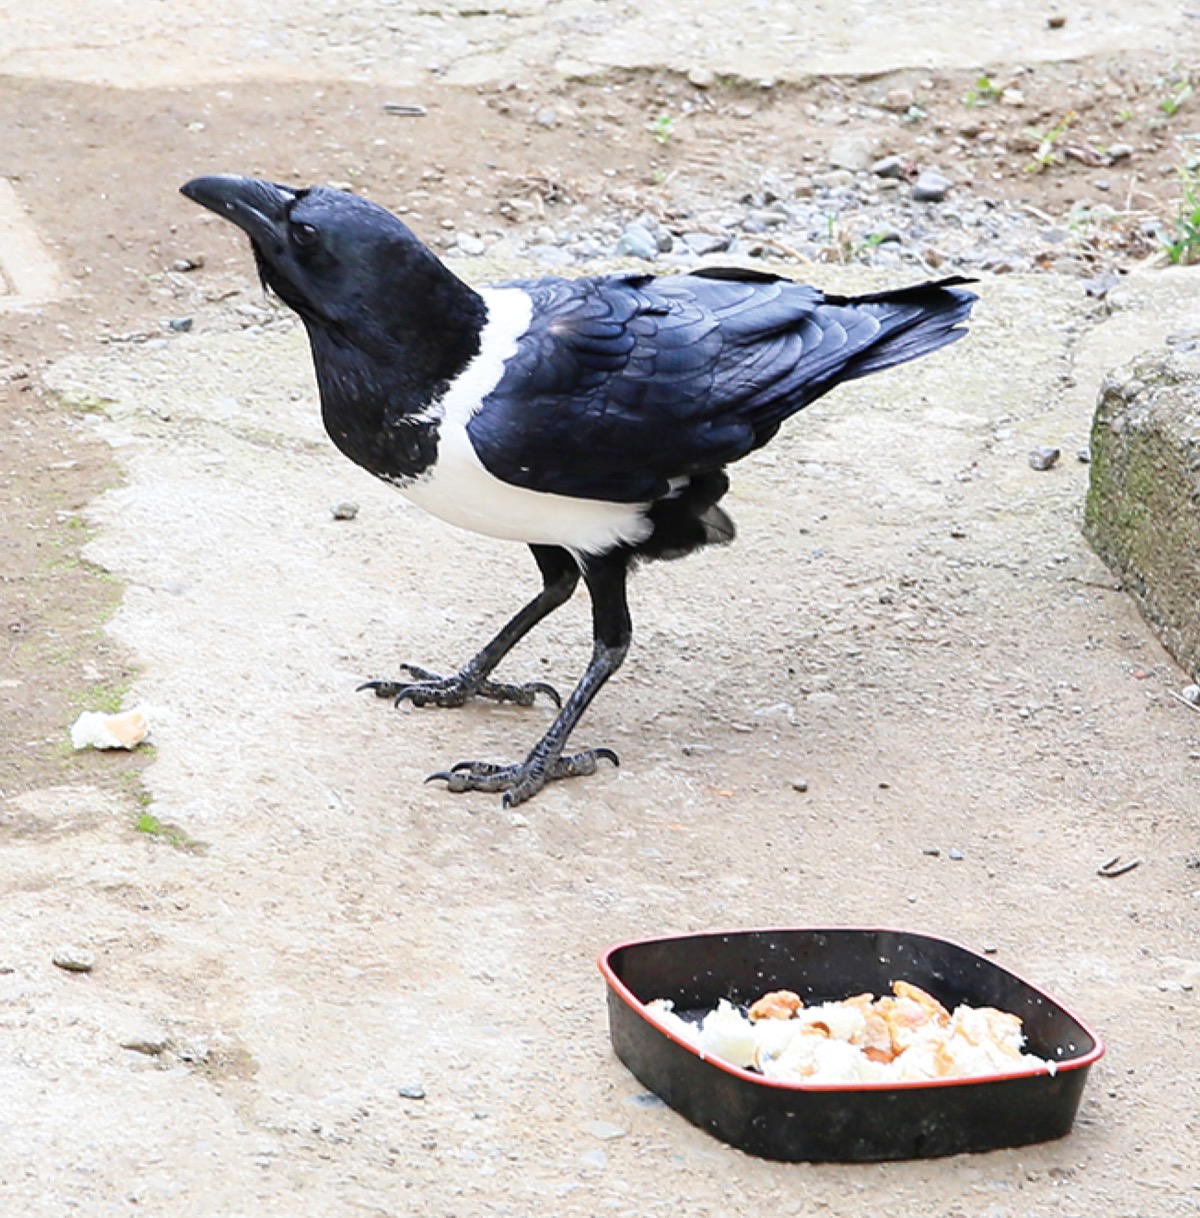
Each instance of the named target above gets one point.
<point>343,264</point>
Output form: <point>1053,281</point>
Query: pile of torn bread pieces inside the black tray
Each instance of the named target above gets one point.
<point>905,1037</point>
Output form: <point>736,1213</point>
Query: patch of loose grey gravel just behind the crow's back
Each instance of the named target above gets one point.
<point>889,213</point>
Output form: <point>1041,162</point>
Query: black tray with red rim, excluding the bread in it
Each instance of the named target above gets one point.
<point>872,1121</point>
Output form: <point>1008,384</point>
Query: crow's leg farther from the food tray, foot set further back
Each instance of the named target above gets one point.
<point>560,579</point>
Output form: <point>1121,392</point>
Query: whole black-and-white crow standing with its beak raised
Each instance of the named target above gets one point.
<point>591,420</point>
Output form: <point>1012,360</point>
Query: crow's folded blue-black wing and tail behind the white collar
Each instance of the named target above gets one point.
<point>623,384</point>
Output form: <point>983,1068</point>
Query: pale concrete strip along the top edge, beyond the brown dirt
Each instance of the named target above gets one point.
<point>397,44</point>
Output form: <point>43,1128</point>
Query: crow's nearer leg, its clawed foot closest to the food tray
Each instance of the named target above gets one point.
<point>612,633</point>
